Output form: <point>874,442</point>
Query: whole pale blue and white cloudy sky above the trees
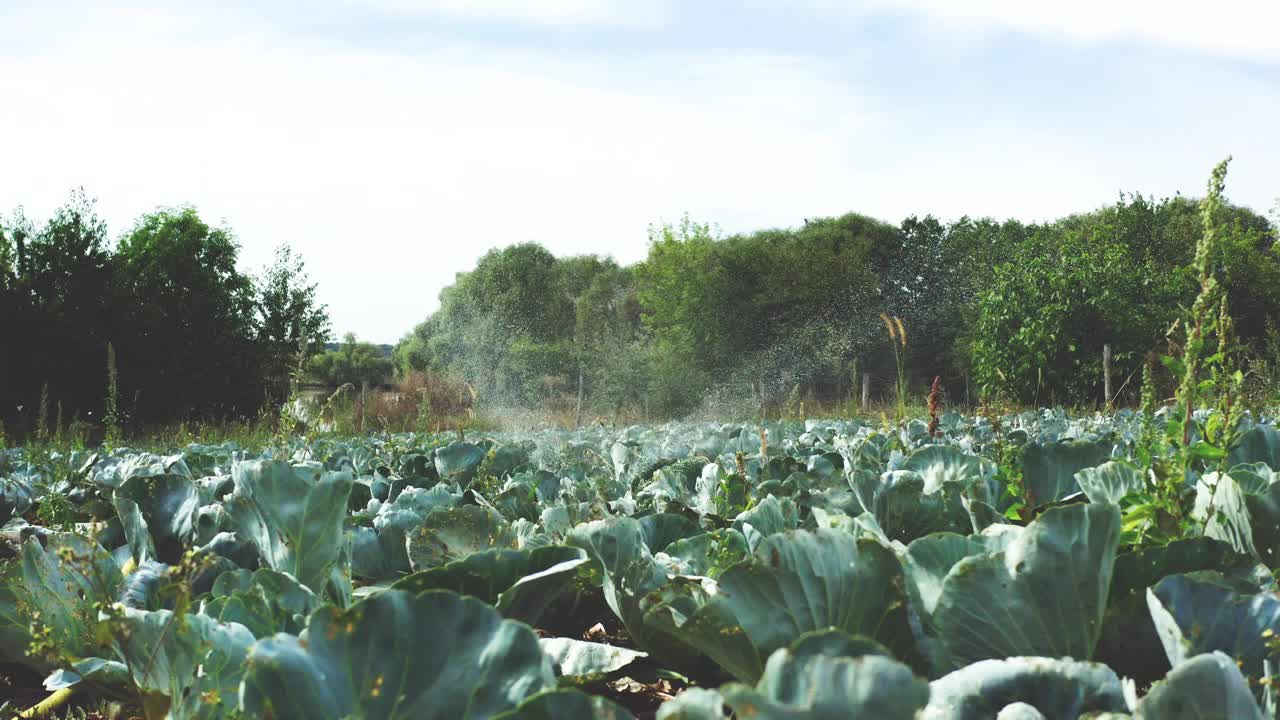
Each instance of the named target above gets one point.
<point>392,143</point>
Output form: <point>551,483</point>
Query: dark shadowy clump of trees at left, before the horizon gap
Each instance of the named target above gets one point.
<point>193,336</point>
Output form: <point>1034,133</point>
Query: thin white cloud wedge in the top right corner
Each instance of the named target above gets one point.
<point>1235,29</point>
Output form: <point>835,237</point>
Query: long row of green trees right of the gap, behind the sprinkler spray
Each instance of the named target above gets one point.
<point>1000,311</point>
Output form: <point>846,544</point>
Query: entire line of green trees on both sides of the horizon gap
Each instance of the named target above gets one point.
<point>707,322</point>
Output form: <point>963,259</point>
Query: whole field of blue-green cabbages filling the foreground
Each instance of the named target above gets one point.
<point>1007,568</point>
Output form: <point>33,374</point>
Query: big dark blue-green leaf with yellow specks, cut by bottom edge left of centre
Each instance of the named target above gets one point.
<point>436,657</point>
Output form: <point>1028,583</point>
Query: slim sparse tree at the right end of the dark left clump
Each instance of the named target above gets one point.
<point>290,318</point>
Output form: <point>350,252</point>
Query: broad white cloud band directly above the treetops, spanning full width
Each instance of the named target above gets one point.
<point>391,172</point>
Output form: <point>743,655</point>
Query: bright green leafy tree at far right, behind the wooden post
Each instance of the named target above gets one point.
<point>1117,276</point>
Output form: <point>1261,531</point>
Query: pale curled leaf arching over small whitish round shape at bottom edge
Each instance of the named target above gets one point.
<point>1062,690</point>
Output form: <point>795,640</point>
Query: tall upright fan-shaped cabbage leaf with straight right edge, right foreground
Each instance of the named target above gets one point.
<point>1044,596</point>
